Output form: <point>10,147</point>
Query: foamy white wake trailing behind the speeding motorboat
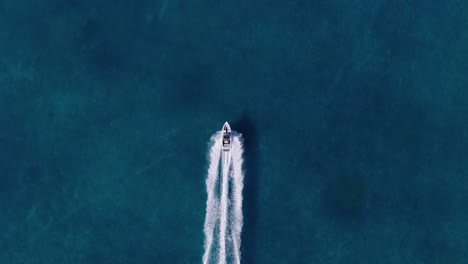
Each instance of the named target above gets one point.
<point>224,184</point>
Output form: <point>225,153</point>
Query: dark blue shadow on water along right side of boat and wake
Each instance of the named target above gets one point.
<point>246,126</point>
